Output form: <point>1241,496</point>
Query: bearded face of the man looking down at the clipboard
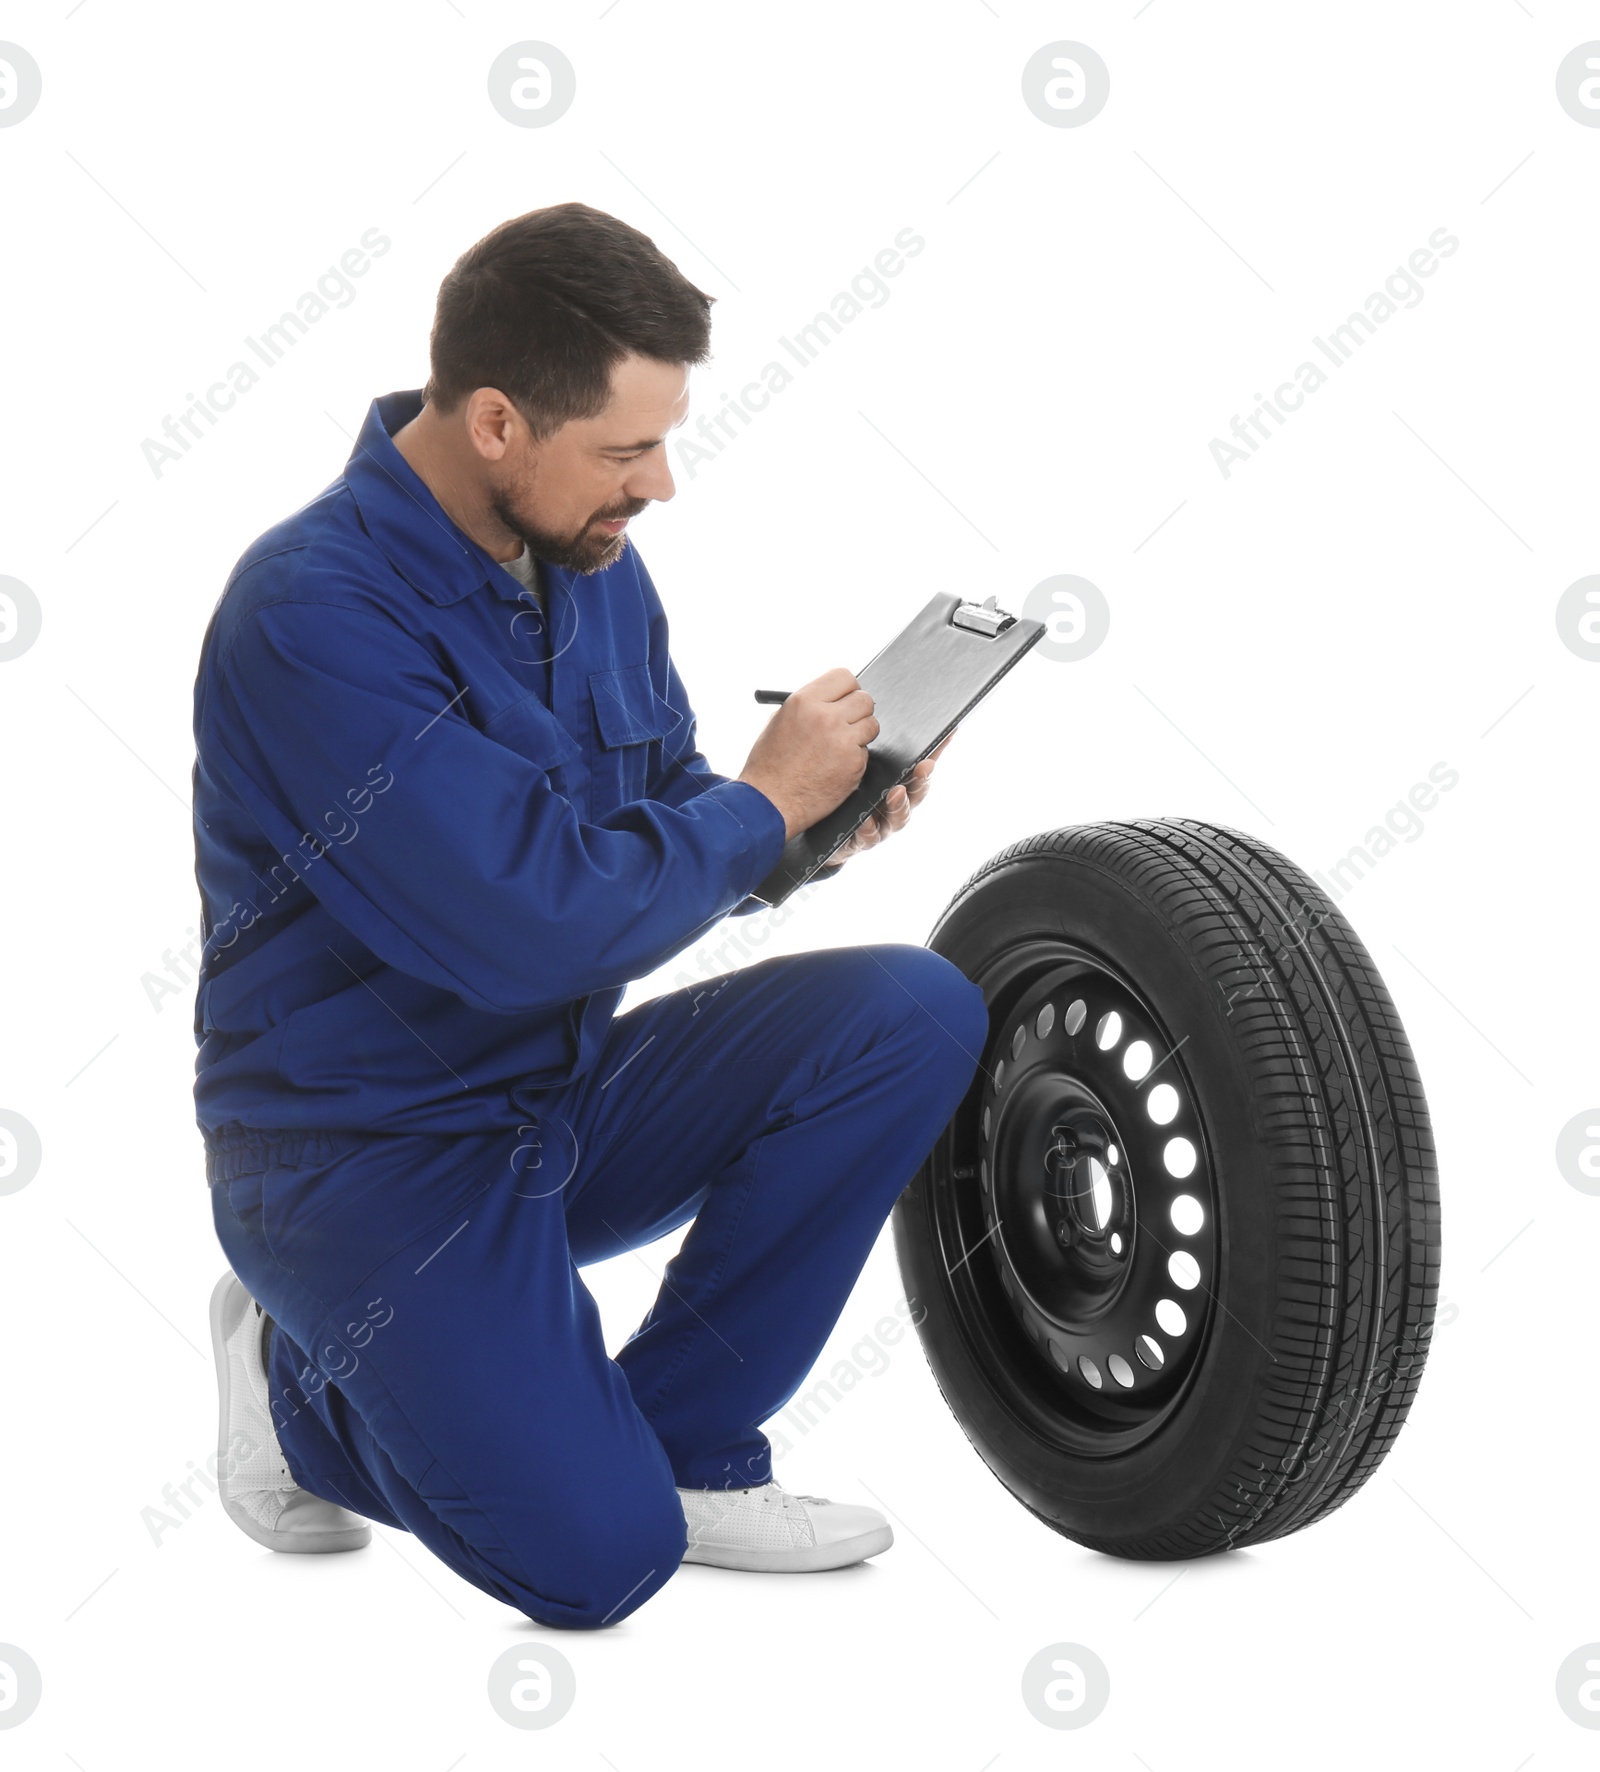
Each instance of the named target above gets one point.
<point>570,499</point>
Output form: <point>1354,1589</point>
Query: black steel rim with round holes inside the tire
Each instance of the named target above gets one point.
<point>1078,1204</point>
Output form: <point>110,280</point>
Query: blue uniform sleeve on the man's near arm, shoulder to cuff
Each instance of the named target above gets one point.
<point>449,853</point>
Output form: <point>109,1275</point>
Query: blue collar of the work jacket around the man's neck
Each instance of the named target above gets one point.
<point>408,524</point>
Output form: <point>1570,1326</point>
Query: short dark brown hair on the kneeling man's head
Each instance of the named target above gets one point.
<point>547,304</point>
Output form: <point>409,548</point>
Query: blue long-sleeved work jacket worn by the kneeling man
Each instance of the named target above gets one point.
<point>439,830</point>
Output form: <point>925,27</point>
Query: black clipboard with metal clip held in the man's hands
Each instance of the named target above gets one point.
<point>924,683</point>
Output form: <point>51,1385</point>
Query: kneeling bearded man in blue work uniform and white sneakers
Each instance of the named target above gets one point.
<point>447,805</point>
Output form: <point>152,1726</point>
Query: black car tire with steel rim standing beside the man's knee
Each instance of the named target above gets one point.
<point>1319,1247</point>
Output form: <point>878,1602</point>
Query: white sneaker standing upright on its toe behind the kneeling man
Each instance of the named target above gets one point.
<point>258,1493</point>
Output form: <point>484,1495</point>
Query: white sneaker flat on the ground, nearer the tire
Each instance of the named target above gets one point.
<point>772,1532</point>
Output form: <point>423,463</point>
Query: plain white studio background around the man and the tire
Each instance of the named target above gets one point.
<point>1291,649</point>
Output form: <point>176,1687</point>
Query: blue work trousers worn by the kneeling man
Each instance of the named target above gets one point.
<point>439,1364</point>
